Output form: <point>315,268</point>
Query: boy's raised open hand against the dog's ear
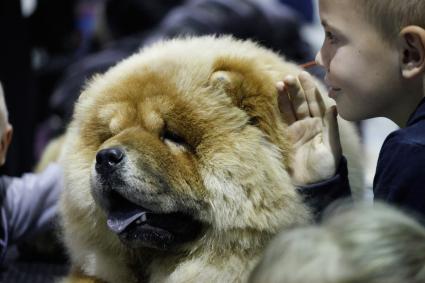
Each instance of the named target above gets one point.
<point>312,128</point>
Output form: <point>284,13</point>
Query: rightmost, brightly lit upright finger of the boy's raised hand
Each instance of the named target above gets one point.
<point>314,98</point>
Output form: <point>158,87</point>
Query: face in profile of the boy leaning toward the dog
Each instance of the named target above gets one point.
<point>362,70</point>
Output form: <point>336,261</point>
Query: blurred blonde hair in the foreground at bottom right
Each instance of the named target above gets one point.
<point>362,245</point>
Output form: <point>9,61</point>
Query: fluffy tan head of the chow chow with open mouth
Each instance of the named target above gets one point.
<point>183,140</point>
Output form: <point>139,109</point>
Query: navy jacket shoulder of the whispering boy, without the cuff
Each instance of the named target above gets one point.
<point>400,175</point>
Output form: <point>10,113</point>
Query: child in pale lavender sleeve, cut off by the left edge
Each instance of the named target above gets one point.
<point>27,204</point>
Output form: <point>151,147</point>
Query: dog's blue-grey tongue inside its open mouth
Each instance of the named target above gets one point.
<point>118,221</point>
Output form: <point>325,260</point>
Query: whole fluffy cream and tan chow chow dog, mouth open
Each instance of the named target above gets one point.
<point>176,165</point>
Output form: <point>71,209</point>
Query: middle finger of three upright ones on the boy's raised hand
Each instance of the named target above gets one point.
<point>297,96</point>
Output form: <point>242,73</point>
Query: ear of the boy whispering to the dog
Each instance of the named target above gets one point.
<point>412,51</point>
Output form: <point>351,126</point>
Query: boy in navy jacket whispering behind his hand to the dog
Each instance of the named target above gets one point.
<point>374,57</point>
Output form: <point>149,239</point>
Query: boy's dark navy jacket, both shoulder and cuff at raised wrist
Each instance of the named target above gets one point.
<point>399,177</point>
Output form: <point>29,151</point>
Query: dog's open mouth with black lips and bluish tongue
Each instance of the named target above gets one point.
<point>139,227</point>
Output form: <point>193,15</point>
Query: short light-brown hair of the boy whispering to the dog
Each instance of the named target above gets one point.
<point>391,16</point>
